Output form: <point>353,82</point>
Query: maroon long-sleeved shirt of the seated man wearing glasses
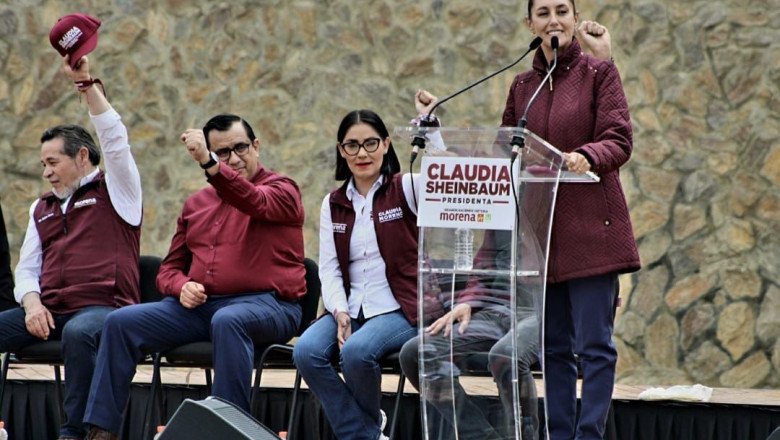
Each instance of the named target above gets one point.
<point>239,236</point>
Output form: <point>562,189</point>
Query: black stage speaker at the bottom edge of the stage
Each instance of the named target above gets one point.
<point>214,418</point>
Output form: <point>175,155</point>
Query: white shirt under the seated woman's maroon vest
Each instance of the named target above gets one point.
<point>369,287</point>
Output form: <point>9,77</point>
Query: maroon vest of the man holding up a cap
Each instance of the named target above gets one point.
<point>90,254</point>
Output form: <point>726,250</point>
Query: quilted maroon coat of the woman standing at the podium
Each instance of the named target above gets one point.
<point>585,112</point>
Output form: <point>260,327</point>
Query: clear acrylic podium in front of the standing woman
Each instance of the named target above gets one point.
<point>498,352</point>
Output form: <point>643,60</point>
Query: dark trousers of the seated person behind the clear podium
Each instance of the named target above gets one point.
<point>487,336</point>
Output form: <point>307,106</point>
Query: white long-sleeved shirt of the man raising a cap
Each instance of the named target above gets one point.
<point>124,188</point>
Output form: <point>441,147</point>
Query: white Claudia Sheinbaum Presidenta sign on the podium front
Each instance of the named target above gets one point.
<point>458,192</point>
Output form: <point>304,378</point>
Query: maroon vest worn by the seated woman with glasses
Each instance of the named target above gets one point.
<point>396,233</point>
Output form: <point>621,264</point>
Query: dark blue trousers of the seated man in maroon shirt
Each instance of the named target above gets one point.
<point>234,324</point>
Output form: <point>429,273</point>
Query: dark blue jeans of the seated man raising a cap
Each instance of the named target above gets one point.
<point>80,335</point>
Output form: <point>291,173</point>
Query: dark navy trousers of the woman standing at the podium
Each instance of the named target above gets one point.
<point>579,317</point>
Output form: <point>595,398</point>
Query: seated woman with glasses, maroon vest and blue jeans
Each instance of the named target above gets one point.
<point>368,269</point>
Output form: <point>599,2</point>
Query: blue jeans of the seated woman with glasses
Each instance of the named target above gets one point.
<point>352,404</point>
